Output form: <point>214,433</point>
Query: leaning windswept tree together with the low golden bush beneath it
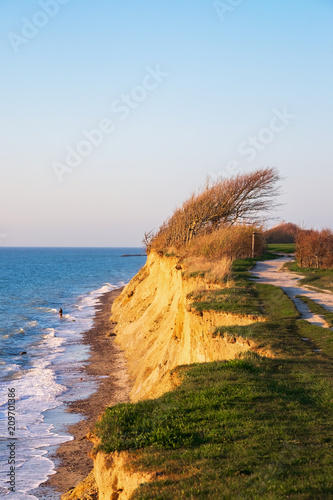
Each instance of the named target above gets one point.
<point>200,225</point>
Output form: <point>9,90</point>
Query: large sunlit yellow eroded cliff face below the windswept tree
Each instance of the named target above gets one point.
<point>158,330</point>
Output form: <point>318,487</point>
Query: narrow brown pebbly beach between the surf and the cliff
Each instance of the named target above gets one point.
<point>107,366</point>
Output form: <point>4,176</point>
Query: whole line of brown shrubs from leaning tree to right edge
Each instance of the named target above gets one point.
<point>219,222</point>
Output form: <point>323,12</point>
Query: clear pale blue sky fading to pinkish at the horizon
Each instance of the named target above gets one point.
<point>114,111</point>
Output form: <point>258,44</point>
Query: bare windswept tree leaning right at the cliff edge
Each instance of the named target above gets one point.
<point>244,199</point>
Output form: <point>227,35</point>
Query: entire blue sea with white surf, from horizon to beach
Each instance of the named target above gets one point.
<point>41,354</point>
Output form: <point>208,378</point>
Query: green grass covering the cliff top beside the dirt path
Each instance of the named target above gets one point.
<point>248,428</point>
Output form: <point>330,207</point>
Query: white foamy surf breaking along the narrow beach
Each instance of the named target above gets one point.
<point>47,381</point>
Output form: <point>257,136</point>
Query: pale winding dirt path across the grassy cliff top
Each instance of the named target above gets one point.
<point>269,272</point>
